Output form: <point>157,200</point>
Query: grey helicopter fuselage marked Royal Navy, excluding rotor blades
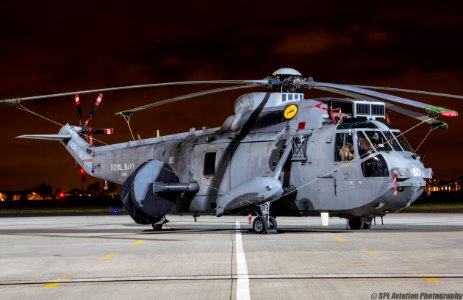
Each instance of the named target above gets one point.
<point>349,165</point>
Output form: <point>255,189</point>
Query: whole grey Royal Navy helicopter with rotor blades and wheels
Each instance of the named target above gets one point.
<point>279,154</point>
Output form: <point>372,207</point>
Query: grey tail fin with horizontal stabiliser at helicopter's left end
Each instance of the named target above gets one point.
<point>69,136</point>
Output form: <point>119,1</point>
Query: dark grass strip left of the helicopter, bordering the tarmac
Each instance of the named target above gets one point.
<point>57,210</point>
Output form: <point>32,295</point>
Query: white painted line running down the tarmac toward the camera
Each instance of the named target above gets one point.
<point>242,285</point>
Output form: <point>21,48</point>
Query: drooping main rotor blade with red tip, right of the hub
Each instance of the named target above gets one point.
<point>342,89</point>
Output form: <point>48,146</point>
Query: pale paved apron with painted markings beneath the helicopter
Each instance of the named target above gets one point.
<point>110,257</point>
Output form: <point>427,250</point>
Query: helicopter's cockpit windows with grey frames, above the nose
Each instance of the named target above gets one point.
<point>366,140</point>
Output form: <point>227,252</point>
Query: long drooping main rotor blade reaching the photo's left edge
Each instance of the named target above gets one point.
<point>16,101</point>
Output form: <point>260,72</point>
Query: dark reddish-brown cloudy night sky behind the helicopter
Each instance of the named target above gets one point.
<point>60,46</point>
